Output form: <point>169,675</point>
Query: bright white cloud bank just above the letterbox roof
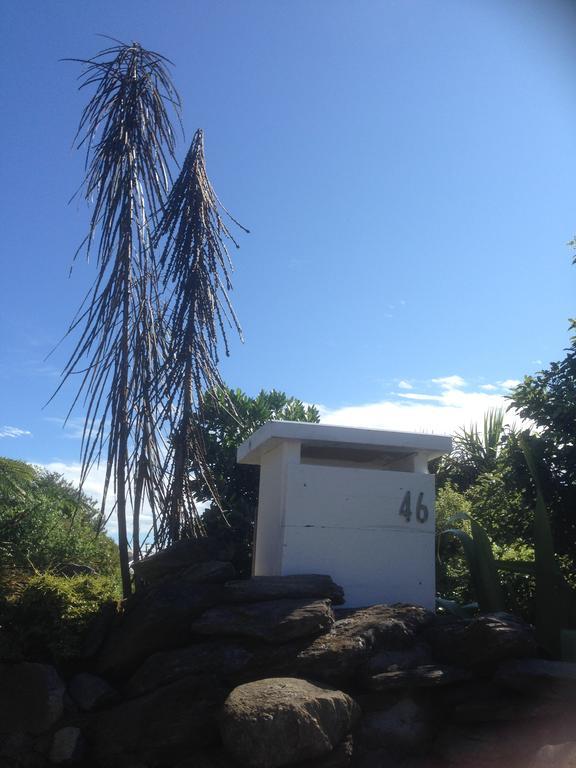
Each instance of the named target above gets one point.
<point>443,413</point>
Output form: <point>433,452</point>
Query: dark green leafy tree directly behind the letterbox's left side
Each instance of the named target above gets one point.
<point>227,419</point>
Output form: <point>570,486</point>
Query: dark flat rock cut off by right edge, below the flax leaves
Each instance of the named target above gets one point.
<point>539,677</point>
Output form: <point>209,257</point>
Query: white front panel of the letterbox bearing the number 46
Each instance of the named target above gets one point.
<point>346,522</point>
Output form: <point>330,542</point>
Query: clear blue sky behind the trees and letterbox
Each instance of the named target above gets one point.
<point>405,167</point>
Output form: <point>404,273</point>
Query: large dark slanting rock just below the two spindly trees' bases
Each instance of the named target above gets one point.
<point>156,621</point>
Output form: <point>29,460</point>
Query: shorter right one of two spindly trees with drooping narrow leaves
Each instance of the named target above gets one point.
<point>196,272</point>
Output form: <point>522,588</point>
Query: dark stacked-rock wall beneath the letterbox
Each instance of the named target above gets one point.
<point>202,671</point>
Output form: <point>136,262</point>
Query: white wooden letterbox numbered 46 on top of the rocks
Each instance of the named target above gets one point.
<point>357,504</point>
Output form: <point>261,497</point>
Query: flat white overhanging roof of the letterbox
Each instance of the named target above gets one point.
<point>328,435</point>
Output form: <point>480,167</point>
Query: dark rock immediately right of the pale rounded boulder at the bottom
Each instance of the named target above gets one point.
<point>403,727</point>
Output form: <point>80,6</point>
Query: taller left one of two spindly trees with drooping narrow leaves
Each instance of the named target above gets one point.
<point>129,142</point>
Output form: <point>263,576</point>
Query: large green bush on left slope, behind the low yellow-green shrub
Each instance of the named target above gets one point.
<point>46,524</point>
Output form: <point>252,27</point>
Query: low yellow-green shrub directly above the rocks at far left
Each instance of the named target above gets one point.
<point>47,615</point>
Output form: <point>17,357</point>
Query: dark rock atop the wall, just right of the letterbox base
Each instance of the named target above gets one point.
<point>485,640</point>
